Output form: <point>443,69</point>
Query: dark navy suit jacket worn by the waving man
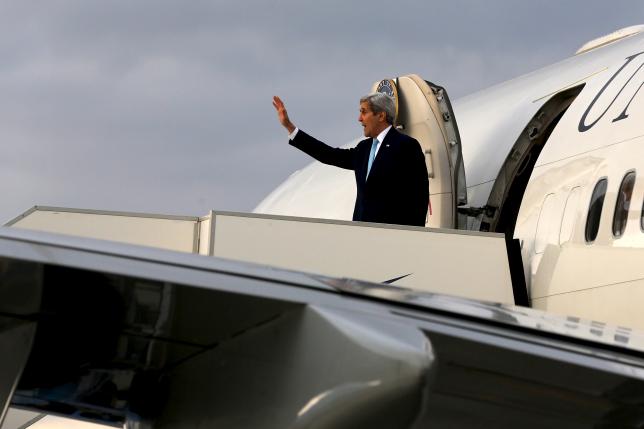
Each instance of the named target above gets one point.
<point>397,189</point>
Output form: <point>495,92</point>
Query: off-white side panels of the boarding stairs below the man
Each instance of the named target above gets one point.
<point>476,265</point>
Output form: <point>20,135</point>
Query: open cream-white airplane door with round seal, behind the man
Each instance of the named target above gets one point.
<point>425,113</point>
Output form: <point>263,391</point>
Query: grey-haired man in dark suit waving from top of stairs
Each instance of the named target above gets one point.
<point>390,170</point>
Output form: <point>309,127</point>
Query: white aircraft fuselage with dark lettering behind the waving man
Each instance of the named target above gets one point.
<point>534,149</point>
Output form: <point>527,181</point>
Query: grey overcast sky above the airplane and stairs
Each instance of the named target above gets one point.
<point>165,107</point>
